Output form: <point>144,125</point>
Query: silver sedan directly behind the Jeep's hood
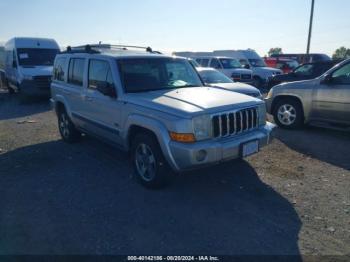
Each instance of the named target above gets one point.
<point>214,78</point>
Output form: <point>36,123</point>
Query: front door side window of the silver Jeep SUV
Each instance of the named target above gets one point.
<point>99,73</point>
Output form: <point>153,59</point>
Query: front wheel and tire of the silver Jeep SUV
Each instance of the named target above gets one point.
<point>151,168</point>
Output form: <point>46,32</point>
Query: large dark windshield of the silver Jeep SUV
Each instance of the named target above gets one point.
<point>149,74</point>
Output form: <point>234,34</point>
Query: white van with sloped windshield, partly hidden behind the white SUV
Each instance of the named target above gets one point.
<point>251,60</point>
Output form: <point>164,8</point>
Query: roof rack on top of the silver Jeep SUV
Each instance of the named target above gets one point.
<point>96,48</point>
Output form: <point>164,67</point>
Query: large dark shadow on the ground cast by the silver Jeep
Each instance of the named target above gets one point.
<point>57,198</point>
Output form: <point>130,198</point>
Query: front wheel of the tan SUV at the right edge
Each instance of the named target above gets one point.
<point>288,114</point>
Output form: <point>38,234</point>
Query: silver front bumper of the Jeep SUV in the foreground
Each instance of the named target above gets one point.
<point>185,156</point>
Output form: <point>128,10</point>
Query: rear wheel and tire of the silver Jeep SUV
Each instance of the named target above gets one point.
<point>67,129</point>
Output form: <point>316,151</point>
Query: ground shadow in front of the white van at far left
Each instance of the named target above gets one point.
<point>11,106</point>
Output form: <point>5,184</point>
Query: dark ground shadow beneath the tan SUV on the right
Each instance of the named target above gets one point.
<point>326,145</point>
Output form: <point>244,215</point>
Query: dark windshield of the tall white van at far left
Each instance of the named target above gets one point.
<point>36,56</point>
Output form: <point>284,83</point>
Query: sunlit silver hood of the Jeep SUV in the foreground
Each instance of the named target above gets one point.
<point>192,101</point>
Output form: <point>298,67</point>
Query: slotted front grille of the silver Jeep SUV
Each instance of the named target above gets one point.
<point>232,123</point>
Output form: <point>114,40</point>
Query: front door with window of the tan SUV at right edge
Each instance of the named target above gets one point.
<point>331,100</point>
